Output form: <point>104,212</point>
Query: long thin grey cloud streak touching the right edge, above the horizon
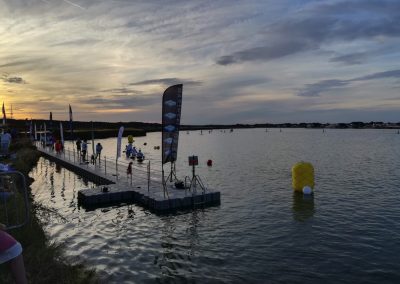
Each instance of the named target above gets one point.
<point>315,89</point>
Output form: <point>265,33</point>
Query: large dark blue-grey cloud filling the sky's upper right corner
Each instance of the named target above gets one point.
<point>319,24</point>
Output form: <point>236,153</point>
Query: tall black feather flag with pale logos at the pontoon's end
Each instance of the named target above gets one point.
<point>171,118</point>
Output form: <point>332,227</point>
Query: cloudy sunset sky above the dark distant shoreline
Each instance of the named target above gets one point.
<point>249,61</point>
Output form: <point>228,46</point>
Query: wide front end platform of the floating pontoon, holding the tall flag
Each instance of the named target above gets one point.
<point>179,199</point>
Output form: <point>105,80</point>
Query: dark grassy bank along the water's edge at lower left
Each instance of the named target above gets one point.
<point>44,261</point>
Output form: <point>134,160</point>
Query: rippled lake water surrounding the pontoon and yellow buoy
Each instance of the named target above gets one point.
<point>348,232</point>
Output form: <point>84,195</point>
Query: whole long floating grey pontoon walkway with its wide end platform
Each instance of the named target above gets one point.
<point>141,188</point>
